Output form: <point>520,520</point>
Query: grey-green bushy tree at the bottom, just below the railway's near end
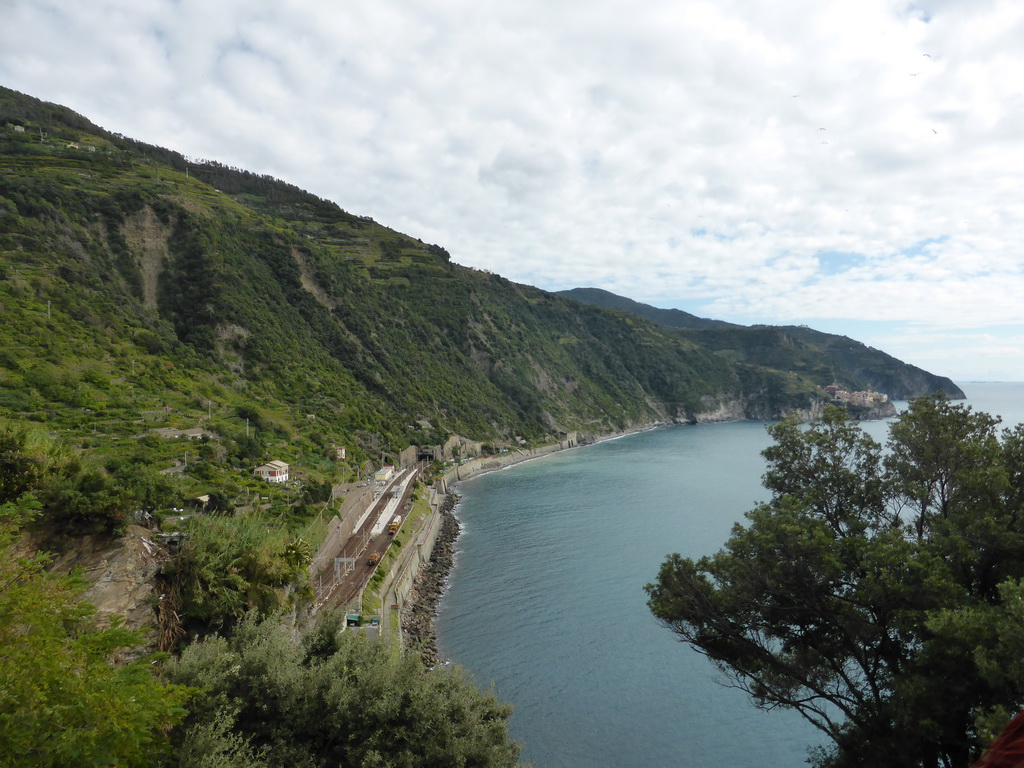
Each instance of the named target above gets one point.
<point>332,699</point>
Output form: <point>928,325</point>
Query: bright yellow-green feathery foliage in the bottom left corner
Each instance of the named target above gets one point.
<point>62,700</point>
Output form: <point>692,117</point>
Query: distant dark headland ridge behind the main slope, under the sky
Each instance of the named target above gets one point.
<point>824,359</point>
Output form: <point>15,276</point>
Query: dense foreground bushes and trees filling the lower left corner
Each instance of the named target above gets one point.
<point>272,690</point>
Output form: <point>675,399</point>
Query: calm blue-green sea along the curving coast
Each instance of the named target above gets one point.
<point>546,602</point>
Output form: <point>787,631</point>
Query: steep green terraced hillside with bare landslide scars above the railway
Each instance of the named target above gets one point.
<point>143,291</point>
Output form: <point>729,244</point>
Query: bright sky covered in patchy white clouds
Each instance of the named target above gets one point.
<point>857,167</point>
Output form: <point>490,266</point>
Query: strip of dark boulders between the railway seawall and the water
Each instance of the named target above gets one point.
<point>418,616</point>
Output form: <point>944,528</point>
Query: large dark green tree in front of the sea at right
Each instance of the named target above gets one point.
<point>847,596</point>
